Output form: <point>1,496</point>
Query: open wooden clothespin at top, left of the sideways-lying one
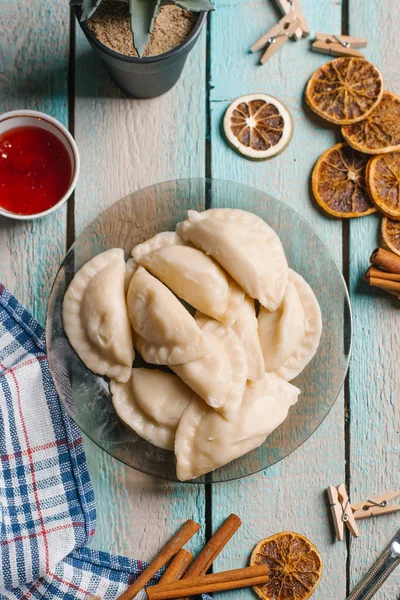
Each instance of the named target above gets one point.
<point>292,24</point>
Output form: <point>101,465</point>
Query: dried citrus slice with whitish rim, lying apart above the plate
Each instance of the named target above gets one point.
<point>258,126</point>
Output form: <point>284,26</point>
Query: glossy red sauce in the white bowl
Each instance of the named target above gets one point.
<point>35,170</point>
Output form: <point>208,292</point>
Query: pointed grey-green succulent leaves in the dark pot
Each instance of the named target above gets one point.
<point>143,14</point>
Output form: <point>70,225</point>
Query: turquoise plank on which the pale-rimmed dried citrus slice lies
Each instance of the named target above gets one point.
<point>289,496</point>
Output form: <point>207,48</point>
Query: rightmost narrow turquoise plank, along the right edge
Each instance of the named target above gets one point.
<point>374,381</point>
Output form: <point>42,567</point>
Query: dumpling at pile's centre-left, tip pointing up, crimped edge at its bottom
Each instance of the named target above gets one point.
<point>167,333</point>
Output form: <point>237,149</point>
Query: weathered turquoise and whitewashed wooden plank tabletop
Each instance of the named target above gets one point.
<point>46,64</point>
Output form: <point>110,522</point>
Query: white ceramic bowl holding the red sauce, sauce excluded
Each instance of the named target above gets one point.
<point>33,118</point>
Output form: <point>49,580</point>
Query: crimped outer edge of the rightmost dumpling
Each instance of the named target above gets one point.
<point>309,342</point>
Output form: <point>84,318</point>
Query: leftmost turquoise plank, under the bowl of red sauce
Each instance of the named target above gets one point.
<point>33,68</point>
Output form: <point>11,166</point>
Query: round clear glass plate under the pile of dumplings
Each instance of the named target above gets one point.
<point>136,218</point>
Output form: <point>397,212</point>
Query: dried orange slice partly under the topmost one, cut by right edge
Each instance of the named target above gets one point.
<point>380,131</point>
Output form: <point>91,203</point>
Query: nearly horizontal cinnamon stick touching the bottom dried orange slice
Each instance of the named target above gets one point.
<point>217,582</point>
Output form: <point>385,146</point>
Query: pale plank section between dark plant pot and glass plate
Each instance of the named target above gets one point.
<point>128,144</point>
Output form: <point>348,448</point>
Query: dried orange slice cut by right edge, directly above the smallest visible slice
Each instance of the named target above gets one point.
<point>383,181</point>
